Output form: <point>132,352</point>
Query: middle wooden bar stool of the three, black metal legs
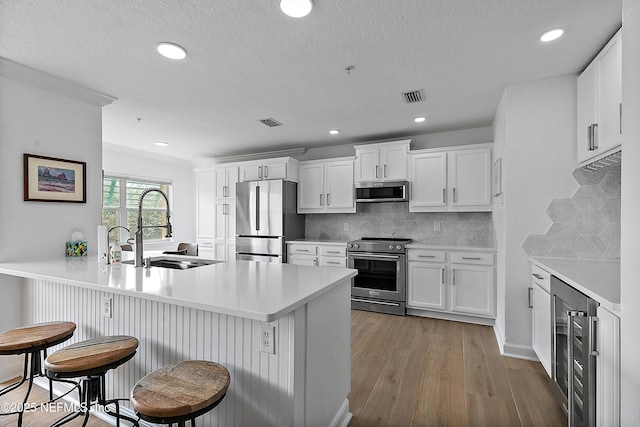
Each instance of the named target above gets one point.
<point>90,360</point>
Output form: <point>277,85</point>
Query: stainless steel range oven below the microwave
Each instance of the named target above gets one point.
<point>382,274</point>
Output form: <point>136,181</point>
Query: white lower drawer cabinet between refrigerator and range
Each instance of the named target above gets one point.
<point>317,254</point>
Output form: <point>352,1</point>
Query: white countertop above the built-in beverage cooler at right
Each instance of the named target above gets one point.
<point>597,279</point>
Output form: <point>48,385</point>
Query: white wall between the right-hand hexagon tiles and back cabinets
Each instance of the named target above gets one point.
<point>534,134</point>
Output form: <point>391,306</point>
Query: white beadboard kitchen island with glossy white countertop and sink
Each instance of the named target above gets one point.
<point>219,312</point>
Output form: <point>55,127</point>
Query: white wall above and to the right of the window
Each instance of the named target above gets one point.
<point>123,161</point>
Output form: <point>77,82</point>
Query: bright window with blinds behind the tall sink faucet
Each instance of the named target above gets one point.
<point>120,199</point>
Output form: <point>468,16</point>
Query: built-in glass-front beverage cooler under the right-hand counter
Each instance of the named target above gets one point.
<point>573,316</point>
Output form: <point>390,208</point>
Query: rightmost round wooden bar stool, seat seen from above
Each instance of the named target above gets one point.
<point>181,392</point>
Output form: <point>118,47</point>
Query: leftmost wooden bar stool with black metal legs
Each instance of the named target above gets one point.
<point>32,341</point>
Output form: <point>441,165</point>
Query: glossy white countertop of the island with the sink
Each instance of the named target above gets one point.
<point>254,290</point>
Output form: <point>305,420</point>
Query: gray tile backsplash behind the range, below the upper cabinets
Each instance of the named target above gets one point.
<point>395,220</point>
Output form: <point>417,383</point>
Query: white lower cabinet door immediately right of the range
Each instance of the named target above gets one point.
<point>426,286</point>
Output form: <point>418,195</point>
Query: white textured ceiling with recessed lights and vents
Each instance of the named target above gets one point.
<point>247,61</point>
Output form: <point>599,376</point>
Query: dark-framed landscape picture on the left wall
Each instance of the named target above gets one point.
<point>47,179</point>
